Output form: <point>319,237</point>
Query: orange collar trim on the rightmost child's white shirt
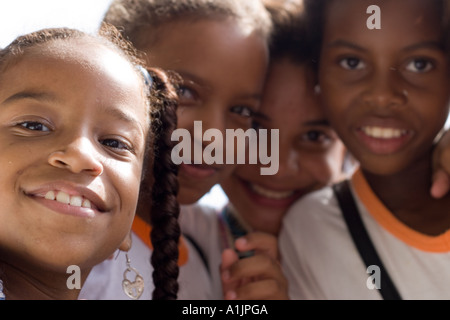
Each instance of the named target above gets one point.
<point>437,244</point>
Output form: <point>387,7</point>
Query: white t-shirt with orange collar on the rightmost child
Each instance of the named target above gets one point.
<point>321,261</point>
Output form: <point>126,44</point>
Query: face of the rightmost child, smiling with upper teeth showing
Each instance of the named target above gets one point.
<point>385,91</point>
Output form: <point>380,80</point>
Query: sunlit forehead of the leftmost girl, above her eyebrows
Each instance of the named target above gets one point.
<point>77,71</point>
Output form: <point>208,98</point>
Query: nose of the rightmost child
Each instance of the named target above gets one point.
<point>386,90</point>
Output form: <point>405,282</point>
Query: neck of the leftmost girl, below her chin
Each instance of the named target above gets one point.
<point>22,284</point>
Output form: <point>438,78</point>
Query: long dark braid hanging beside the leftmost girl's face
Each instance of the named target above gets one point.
<point>165,233</point>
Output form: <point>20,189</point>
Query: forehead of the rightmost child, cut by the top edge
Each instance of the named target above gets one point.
<point>396,15</point>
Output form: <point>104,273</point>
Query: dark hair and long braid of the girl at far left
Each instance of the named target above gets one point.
<point>162,100</point>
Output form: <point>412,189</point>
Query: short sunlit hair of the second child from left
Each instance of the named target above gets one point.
<point>140,20</point>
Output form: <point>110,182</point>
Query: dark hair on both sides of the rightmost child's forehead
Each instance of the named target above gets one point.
<point>315,21</point>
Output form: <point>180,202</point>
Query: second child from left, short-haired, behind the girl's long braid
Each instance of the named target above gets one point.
<point>219,50</point>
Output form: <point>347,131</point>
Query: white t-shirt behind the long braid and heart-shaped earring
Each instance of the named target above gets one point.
<point>105,280</point>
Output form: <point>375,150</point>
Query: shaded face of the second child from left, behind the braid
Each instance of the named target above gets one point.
<point>223,71</point>
